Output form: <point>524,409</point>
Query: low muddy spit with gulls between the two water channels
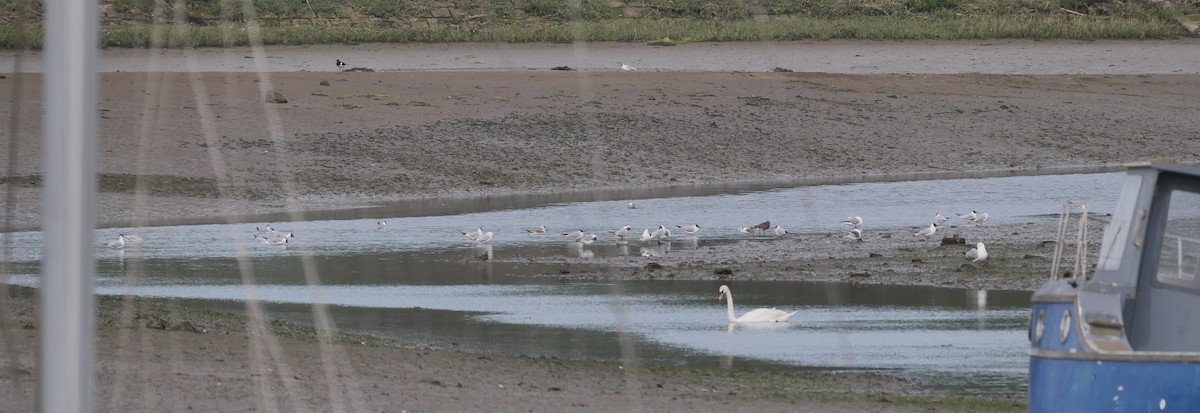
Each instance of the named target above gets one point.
<point>1021,258</point>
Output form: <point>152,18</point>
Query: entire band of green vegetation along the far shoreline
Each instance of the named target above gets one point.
<point>212,23</point>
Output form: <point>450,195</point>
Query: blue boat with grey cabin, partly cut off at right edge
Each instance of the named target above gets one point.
<point>1125,336</point>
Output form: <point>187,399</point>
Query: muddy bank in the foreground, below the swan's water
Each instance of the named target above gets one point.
<point>159,357</point>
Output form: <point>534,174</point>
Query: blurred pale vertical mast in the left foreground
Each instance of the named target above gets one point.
<point>67,357</point>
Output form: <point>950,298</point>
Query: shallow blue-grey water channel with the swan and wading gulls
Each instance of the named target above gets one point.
<point>418,282</point>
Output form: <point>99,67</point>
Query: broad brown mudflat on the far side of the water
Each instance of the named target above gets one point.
<point>368,139</point>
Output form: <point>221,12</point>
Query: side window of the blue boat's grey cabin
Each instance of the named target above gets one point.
<point>1179,264</point>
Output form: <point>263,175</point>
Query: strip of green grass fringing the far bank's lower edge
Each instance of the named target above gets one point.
<point>638,31</point>
